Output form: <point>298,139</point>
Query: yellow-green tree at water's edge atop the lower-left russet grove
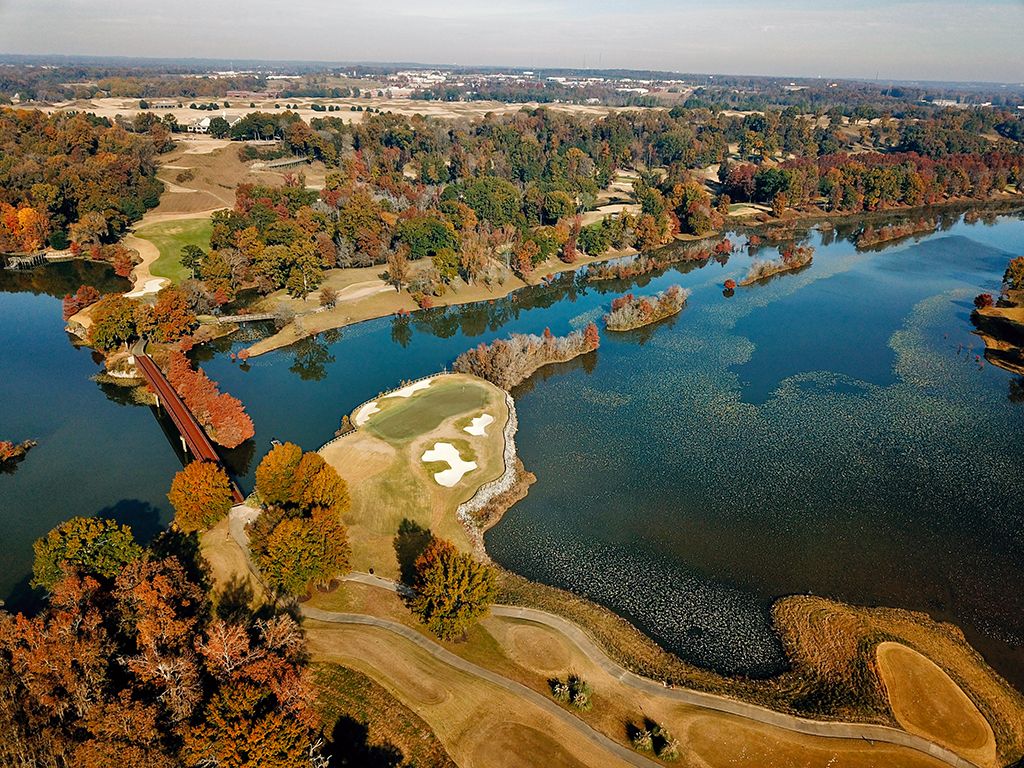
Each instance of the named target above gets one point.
<point>88,545</point>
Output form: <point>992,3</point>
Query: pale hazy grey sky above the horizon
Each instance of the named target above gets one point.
<point>894,39</point>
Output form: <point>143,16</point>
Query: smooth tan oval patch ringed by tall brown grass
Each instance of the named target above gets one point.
<point>928,703</point>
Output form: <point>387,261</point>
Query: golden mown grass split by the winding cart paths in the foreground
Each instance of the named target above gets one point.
<point>465,711</point>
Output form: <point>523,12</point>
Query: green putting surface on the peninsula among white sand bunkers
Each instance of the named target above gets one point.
<point>402,419</point>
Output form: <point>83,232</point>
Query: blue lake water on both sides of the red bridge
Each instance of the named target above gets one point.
<point>829,432</point>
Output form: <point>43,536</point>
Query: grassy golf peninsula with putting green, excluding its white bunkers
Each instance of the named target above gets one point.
<point>390,483</point>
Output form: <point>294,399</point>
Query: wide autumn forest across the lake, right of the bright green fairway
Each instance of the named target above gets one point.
<point>479,200</point>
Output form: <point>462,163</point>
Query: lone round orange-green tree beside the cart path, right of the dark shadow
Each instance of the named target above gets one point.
<point>452,590</point>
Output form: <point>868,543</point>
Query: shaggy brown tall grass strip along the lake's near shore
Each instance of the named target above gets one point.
<point>834,675</point>
